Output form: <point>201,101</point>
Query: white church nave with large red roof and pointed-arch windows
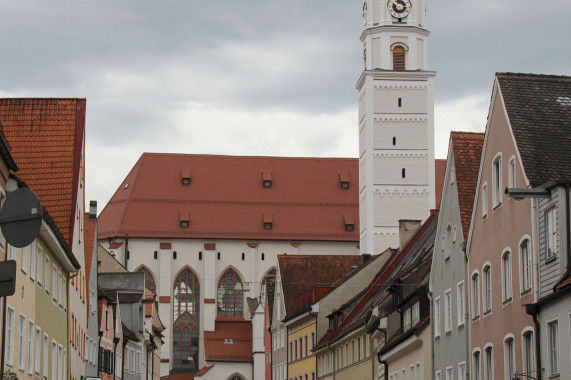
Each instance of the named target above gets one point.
<point>208,230</point>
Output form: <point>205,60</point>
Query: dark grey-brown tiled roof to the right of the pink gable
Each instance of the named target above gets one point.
<point>539,111</point>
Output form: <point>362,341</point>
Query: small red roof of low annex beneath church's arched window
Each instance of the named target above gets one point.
<point>231,341</point>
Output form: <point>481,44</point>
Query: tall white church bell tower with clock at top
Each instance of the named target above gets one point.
<point>396,121</point>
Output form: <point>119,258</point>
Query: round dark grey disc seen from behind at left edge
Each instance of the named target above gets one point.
<point>21,217</point>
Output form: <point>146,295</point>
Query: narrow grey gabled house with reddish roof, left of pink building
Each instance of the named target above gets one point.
<point>448,284</point>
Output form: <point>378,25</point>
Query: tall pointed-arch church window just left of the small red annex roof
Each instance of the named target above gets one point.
<point>186,308</point>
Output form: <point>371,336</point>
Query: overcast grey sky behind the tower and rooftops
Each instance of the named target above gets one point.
<point>252,77</point>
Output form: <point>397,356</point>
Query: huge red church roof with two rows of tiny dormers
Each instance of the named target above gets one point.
<point>225,198</point>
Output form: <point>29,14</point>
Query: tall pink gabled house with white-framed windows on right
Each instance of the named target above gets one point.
<point>499,248</point>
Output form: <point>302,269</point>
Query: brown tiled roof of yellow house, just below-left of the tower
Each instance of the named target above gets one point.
<point>299,273</point>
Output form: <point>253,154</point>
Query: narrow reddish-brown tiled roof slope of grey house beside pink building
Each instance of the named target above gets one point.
<point>467,148</point>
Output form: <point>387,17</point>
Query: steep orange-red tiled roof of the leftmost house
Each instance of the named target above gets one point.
<point>46,136</point>
